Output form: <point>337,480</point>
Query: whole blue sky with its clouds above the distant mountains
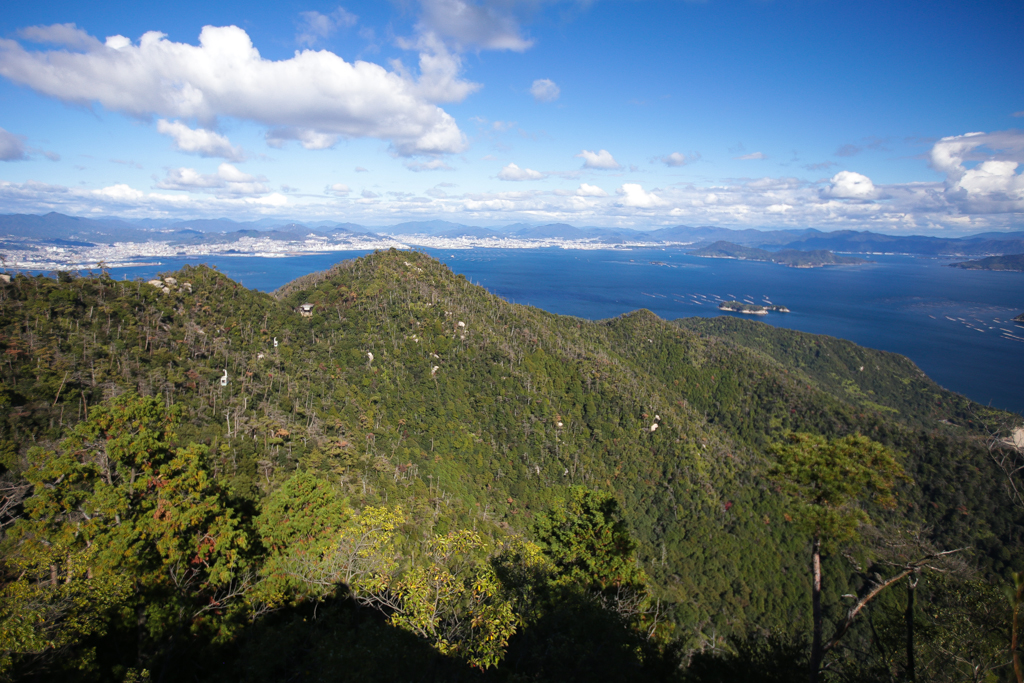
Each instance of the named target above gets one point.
<point>891,117</point>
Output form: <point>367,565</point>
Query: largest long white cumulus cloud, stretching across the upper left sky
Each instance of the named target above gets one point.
<point>225,75</point>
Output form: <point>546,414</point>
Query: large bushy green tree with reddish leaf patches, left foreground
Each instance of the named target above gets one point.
<point>122,502</point>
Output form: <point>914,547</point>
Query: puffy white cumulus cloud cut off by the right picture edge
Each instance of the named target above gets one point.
<point>993,185</point>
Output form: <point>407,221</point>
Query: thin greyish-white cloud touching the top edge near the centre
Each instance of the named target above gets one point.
<point>466,25</point>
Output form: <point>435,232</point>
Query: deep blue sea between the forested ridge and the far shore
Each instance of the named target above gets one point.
<point>955,325</point>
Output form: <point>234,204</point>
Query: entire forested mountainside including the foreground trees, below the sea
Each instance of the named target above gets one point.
<point>414,480</point>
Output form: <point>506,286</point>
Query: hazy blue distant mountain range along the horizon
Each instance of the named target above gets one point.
<point>55,227</point>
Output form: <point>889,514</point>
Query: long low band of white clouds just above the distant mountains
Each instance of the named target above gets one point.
<point>786,202</point>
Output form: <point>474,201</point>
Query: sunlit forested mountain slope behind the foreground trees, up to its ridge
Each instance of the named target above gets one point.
<point>483,424</point>
